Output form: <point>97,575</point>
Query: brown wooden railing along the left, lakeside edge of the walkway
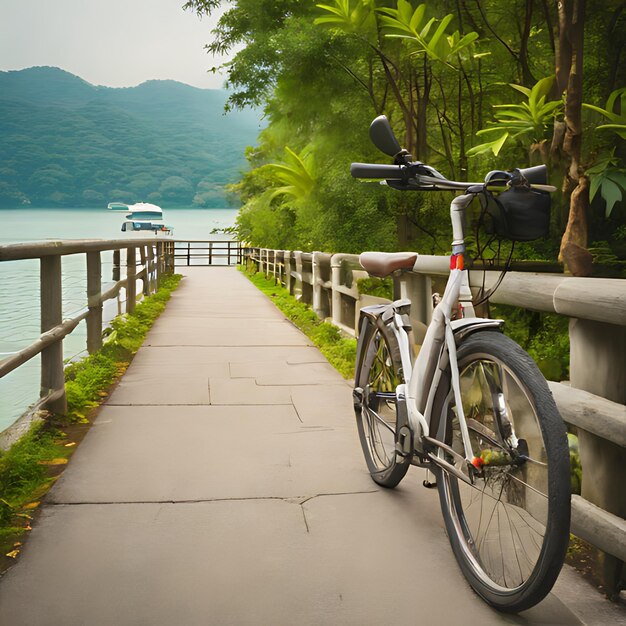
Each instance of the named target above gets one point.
<point>146,259</point>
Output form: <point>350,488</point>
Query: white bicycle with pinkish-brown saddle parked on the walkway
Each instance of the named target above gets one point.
<point>472,407</point>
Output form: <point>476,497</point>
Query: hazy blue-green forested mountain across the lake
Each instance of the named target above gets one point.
<point>65,142</point>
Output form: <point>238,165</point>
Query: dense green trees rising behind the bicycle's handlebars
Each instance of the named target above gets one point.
<point>322,71</point>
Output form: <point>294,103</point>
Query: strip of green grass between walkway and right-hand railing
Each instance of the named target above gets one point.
<point>340,351</point>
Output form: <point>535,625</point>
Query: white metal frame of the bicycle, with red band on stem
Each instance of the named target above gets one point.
<point>439,348</point>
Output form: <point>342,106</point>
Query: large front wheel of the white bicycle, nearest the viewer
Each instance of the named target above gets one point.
<point>509,530</point>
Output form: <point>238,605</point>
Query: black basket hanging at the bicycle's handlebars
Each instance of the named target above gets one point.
<point>518,214</point>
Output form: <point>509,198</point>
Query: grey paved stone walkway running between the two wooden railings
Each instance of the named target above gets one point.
<point>223,483</point>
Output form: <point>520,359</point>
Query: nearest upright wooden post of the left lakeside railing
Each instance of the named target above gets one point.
<point>52,375</point>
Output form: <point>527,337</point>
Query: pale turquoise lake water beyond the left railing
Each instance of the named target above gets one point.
<point>19,282</point>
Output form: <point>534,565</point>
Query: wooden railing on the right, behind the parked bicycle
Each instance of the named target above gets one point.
<point>594,399</point>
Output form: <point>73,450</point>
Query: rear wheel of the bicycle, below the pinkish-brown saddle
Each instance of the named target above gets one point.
<point>378,419</point>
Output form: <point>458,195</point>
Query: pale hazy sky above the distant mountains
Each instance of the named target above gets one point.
<point>118,43</point>
